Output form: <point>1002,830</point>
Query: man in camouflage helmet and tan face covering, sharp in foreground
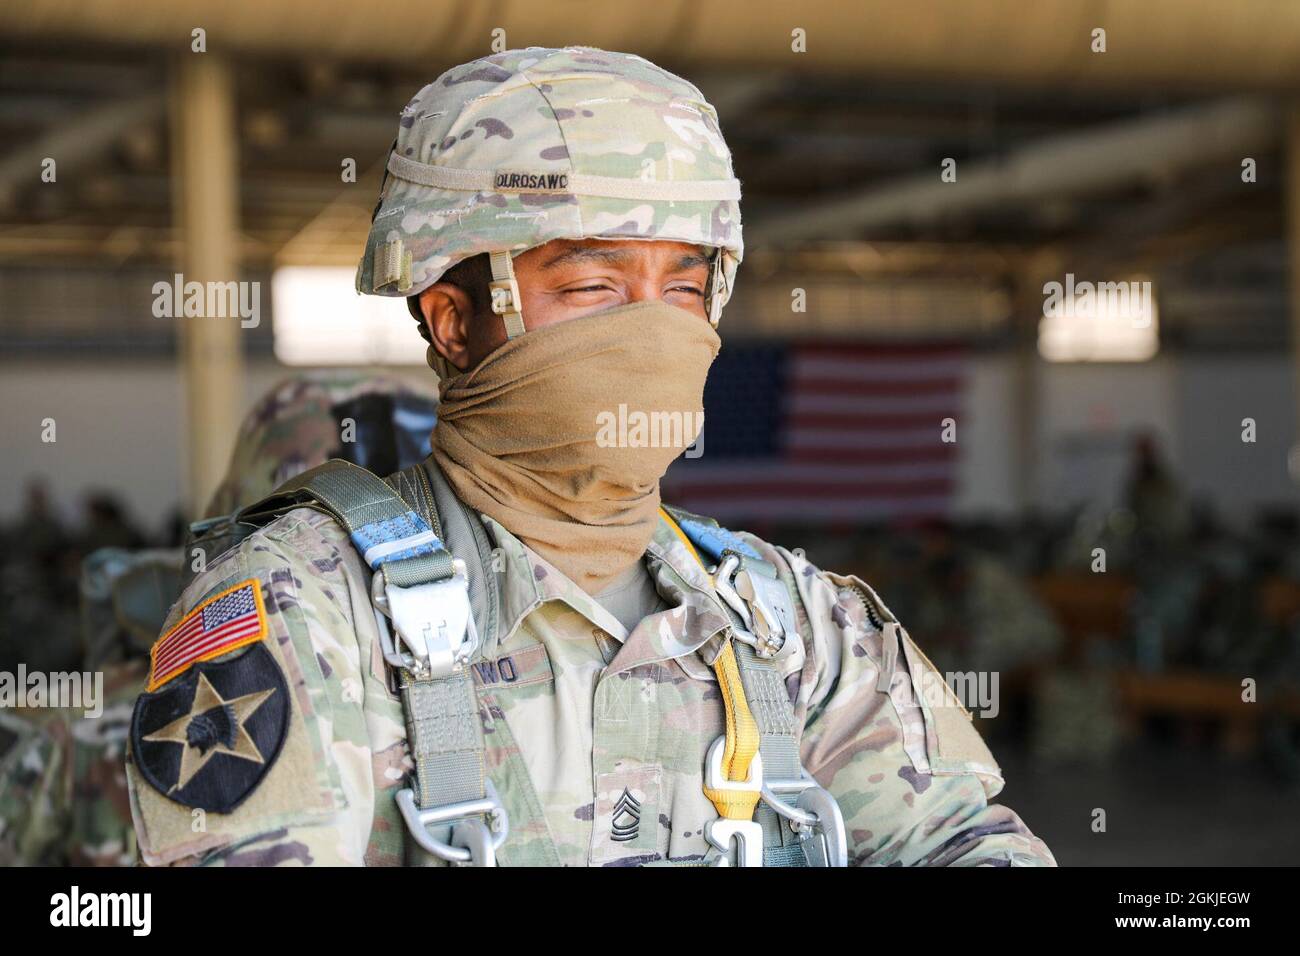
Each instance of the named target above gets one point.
<point>513,654</point>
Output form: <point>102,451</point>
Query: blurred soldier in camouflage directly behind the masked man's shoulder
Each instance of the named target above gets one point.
<point>63,781</point>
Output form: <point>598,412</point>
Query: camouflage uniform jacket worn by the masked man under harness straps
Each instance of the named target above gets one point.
<point>577,711</point>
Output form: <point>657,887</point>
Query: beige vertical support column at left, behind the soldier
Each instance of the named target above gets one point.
<point>206,205</point>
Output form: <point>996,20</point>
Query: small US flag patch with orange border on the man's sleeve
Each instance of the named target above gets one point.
<point>224,622</point>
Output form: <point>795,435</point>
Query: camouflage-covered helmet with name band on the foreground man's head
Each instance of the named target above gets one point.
<point>518,149</point>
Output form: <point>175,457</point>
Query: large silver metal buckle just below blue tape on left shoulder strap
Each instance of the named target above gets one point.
<point>434,624</point>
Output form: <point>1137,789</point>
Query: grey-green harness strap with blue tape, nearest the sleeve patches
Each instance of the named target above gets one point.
<point>424,591</point>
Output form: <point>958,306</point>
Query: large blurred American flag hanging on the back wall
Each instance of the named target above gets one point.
<point>826,432</point>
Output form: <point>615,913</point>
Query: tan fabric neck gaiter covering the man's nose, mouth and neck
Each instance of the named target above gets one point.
<point>535,436</point>
